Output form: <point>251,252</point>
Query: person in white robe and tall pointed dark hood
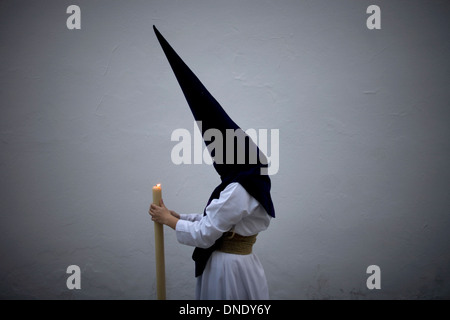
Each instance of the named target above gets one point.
<point>238,209</point>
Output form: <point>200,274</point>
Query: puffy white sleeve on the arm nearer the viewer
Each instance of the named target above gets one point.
<point>234,204</point>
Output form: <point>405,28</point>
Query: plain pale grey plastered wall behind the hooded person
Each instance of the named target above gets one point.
<point>87,115</point>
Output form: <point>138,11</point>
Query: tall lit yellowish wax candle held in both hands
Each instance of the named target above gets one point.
<point>159,249</point>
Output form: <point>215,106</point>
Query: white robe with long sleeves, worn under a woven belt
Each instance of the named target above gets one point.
<point>227,276</point>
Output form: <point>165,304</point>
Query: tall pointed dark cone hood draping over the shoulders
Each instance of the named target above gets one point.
<point>241,160</point>
